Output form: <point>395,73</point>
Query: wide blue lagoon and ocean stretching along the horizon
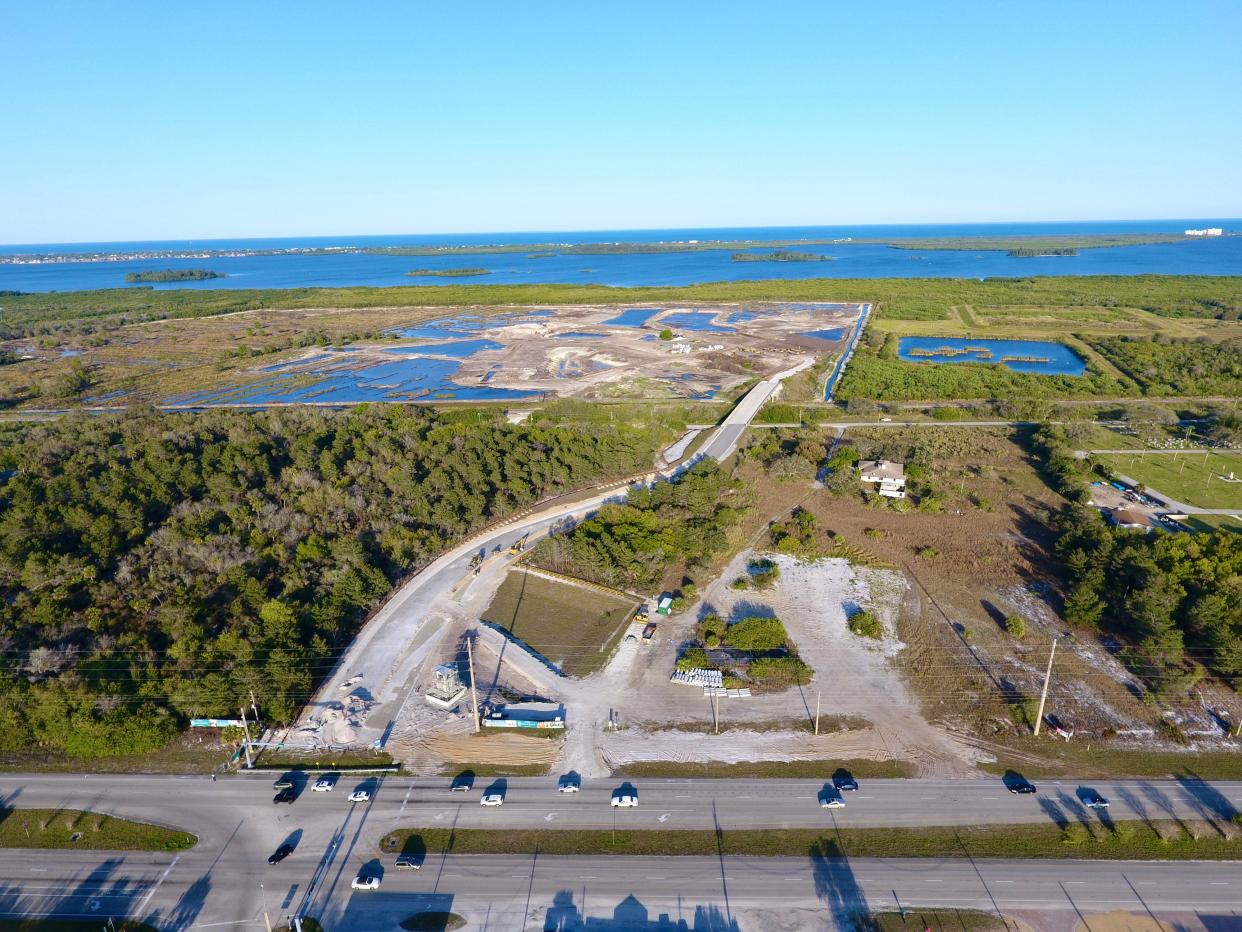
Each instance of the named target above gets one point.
<point>1193,257</point>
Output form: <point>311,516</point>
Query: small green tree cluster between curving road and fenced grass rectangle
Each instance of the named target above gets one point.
<point>635,544</point>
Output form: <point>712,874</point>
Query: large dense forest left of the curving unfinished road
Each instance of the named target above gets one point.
<point>157,567</point>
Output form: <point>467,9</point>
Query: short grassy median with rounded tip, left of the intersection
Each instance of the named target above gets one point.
<point>73,828</point>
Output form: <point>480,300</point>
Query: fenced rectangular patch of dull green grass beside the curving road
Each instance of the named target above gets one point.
<point>574,628</point>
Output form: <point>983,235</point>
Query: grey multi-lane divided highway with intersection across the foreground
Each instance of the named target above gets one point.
<point>225,880</point>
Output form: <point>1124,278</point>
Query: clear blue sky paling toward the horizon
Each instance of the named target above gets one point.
<point>166,120</point>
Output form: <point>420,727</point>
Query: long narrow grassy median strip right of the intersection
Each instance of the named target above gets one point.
<point>1095,841</point>
